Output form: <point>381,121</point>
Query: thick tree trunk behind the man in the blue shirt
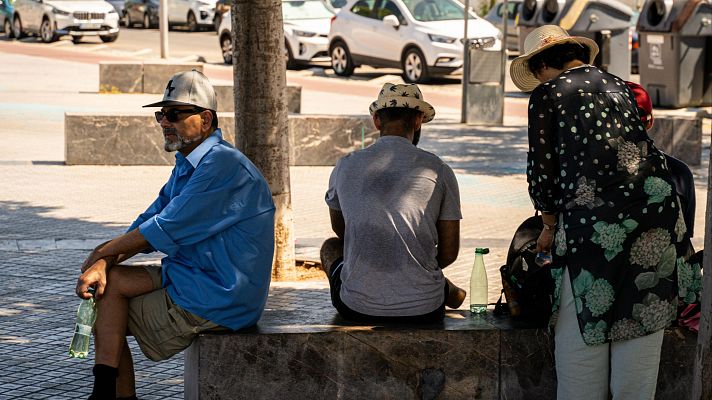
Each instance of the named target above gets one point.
<point>261,130</point>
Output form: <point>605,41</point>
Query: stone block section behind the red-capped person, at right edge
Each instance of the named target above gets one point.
<point>679,134</point>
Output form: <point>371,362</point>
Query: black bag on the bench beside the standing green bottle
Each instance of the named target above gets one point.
<point>527,287</point>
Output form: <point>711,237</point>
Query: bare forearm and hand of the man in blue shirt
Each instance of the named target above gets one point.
<point>104,257</point>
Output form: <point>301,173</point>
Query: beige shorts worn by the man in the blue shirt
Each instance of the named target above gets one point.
<point>161,328</point>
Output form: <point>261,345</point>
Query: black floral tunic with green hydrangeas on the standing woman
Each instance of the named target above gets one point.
<point>620,227</point>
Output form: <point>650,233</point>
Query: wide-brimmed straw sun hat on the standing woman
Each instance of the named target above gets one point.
<point>537,41</point>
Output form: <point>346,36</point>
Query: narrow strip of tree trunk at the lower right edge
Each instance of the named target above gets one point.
<point>702,378</point>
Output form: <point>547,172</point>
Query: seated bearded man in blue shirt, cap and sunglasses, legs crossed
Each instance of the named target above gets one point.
<point>214,220</point>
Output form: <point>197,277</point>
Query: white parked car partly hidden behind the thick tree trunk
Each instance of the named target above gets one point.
<point>306,26</point>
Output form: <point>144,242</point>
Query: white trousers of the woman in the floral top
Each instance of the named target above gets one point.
<point>583,371</point>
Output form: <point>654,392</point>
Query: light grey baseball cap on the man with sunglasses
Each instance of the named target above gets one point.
<point>189,88</point>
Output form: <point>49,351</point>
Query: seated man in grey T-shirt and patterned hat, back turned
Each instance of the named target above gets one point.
<point>395,210</point>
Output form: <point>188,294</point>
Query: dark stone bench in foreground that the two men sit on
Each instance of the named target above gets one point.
<point>310,353</point>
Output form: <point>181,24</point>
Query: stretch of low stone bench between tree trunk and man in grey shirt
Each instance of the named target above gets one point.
<point>322,140</point>
